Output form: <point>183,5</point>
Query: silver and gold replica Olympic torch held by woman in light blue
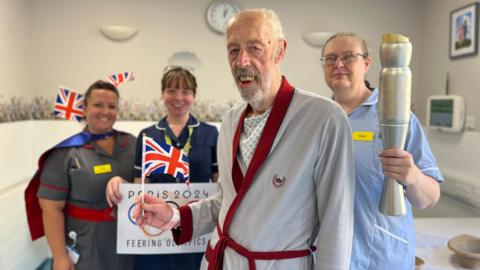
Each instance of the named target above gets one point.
<point>394,111</point>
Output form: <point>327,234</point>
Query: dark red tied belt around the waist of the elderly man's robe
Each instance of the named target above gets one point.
<point>215,256</point>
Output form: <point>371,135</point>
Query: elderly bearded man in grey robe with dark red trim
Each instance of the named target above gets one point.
<point>285,163</point>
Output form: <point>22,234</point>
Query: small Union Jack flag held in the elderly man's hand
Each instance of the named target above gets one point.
<point>161,158</point>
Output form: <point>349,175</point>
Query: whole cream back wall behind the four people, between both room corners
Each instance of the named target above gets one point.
<point>70,50</point>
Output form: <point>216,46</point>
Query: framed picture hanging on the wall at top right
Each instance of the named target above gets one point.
<point>464,31</point>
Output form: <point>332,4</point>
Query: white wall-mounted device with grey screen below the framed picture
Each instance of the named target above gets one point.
<point>446,113</point>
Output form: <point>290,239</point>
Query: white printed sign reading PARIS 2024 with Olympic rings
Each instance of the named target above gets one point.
<point>131,239</point>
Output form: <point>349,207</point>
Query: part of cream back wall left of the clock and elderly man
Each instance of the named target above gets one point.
<point>71,50</point>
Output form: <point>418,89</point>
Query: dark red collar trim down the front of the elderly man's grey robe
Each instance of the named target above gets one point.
<point>243,183</point>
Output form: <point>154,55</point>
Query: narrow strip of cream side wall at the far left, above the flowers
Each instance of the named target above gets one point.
<point>14,52</point>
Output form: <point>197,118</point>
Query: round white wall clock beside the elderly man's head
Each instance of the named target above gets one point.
<point>219,13</point>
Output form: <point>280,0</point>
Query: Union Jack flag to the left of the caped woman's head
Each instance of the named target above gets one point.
<point>68,104</point>
